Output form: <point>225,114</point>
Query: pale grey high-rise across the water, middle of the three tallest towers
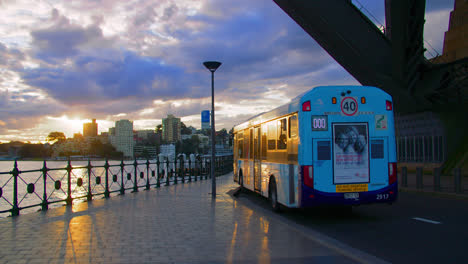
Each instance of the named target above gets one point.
<point>121,137</point>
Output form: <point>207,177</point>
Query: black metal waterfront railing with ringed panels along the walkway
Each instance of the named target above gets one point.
<point>24,189</point>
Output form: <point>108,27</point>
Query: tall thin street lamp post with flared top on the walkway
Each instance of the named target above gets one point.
<point>212,66</point>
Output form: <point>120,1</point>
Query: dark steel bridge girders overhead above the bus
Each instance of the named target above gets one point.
<point>393,61</point>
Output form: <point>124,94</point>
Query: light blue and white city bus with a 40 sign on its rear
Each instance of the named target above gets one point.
<point>332,145</point>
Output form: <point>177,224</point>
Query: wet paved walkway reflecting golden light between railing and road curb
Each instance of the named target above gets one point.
<point>175,224</point>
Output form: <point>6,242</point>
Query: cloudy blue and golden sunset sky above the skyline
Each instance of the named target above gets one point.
<point>63,63</point>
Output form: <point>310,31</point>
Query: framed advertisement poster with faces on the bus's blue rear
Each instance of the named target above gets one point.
<point>350,153</point>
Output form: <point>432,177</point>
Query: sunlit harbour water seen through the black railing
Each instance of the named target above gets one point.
<point>57,181</point>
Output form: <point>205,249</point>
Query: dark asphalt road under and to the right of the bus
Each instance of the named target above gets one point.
<point>418,228</point>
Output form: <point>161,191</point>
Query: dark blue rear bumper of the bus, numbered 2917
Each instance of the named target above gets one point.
<point>311,197</point>
